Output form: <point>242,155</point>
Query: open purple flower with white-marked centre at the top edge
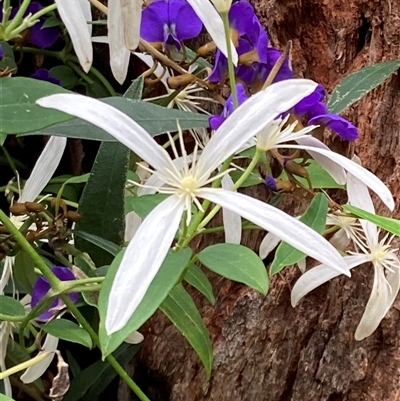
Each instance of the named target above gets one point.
<point>169,21</point>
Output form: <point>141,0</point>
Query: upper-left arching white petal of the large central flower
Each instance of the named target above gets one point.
<point>116,123</point>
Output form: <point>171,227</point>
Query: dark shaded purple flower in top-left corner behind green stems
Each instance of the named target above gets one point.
<point>45,37</point>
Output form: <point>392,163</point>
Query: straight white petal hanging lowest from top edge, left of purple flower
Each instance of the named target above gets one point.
<point>119,53</point>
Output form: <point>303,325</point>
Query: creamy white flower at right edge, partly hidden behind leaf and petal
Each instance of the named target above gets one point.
<point>369,250</point>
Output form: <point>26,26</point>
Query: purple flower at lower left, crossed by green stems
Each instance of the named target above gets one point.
<point>42,287</point>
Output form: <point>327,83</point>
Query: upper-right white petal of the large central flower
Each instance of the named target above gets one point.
<point>250,118</point>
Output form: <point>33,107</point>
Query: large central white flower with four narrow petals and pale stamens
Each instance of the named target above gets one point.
<point>148,248</point>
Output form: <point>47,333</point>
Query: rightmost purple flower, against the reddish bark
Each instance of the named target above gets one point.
<point>344,128</point>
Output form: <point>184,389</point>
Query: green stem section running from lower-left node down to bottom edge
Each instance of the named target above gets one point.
<point>110,358</point>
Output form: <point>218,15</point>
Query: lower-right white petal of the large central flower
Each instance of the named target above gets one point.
<point>279,223</point>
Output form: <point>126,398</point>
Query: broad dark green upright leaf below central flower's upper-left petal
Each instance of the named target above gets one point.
<point>102,202</point>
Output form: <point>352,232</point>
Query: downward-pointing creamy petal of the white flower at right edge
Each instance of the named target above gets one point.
<point>381,299</point>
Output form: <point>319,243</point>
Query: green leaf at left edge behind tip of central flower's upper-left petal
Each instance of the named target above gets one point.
<point>19,112</point>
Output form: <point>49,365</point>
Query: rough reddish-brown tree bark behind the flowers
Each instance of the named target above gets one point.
<point>264,349</point>
